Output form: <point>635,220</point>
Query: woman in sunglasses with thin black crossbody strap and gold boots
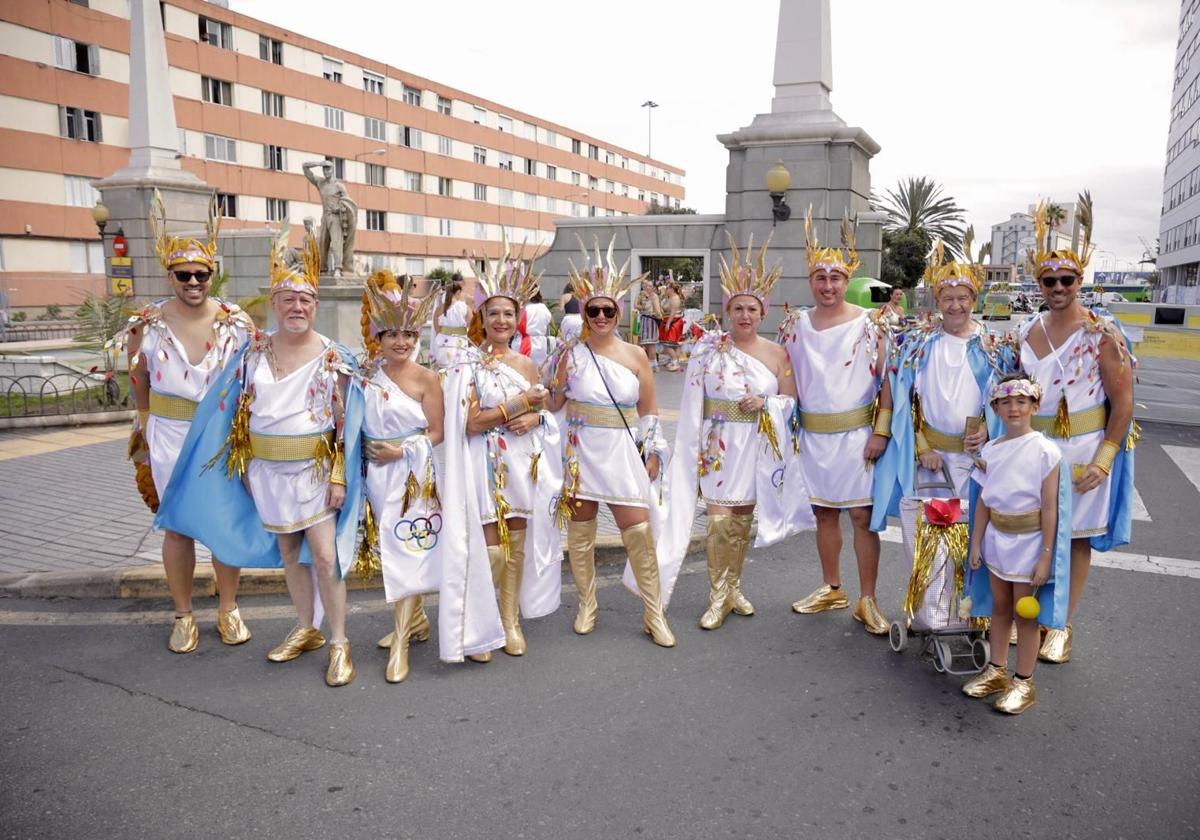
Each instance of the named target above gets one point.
<point>608,389</point>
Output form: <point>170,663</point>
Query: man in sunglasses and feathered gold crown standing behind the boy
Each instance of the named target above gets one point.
<point>1082,362</point>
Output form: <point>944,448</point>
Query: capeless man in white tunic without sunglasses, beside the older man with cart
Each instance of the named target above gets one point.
<point>839,356</point>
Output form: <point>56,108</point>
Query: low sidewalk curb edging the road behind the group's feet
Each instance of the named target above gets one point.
<point>151,581</point>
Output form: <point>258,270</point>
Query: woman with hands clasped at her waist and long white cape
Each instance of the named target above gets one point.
<point>502,471</point>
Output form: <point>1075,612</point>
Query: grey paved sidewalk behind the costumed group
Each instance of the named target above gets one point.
<point>73,523</point>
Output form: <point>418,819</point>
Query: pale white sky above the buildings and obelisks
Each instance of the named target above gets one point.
<point>1001,101</point>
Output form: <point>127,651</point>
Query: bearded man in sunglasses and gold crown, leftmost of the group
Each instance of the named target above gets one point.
<point>177,349</point>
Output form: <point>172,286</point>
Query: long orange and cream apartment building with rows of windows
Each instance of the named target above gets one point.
<point>437,172</point>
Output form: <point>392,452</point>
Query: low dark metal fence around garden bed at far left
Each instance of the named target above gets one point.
<point>27,397</point>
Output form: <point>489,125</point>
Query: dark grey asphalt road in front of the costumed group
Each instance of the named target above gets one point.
<point>778,725</point>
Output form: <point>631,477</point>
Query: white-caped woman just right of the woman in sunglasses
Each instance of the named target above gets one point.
<point>736,437</point>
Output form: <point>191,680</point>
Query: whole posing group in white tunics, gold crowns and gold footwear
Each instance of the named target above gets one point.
<point>286,451</point>
